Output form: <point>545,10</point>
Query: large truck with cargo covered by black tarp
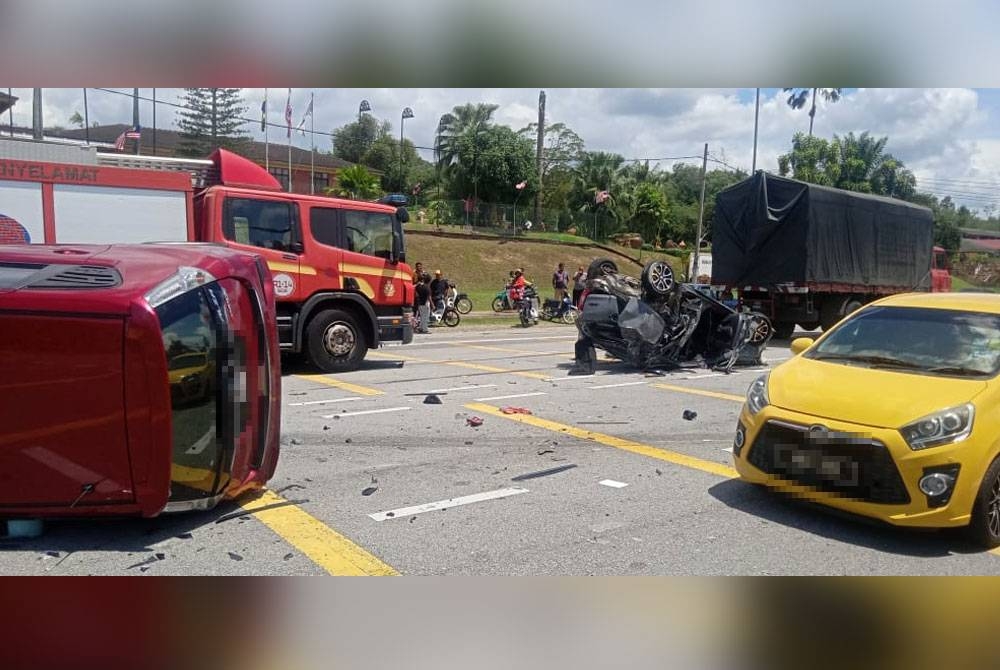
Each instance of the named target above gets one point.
<point>807,254</point>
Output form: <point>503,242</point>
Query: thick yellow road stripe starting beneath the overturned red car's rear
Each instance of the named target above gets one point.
<point>324,546</point>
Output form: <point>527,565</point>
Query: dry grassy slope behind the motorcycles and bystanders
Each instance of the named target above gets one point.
<point>480,266</point>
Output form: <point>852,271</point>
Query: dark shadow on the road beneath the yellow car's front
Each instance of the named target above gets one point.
<point>813,518</point>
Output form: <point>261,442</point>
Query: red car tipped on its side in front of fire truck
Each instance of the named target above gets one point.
<point>137,379</point>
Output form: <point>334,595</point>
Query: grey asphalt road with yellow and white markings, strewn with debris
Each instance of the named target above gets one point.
<point>373,480</point>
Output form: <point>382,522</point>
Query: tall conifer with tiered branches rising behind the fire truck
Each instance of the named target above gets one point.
<point>211,118</point>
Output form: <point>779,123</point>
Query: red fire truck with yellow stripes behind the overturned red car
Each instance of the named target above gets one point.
<point>340,278</point>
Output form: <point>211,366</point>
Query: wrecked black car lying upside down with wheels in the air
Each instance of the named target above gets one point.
<point>658,323</point>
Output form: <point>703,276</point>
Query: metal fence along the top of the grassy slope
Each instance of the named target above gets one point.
<point>510,219</point>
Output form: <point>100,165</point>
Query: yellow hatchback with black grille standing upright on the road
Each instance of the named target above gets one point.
<point>893,414</point>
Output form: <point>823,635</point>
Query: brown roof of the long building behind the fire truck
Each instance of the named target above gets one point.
<point>171,140</point>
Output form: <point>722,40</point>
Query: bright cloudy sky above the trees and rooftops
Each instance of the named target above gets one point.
<point>949,137</point>
